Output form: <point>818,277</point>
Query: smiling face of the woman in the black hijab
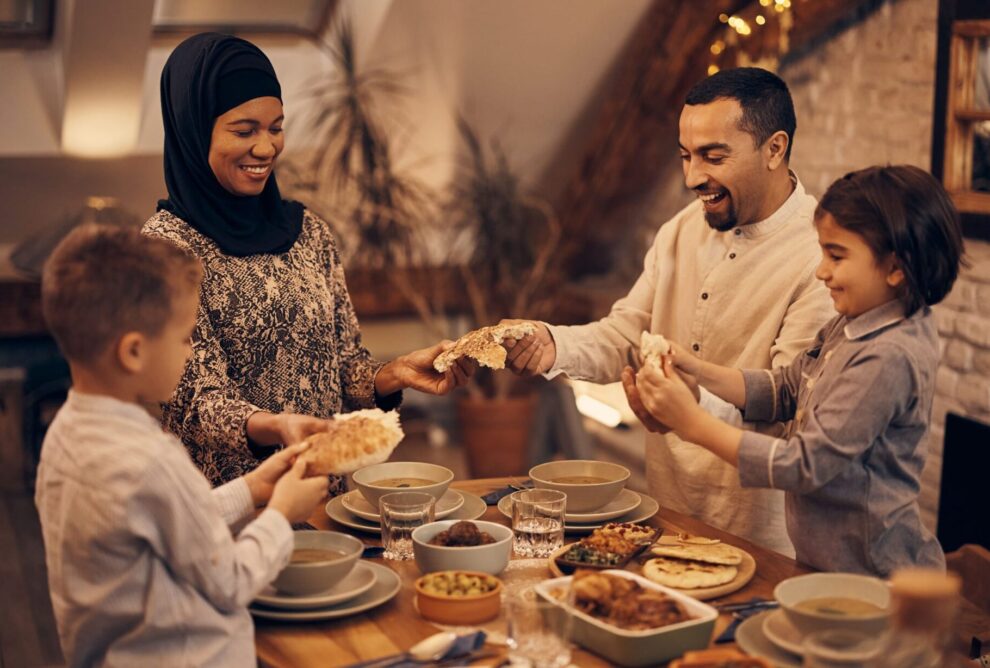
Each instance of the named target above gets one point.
<point>245,143</point>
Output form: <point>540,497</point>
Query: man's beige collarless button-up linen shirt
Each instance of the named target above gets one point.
<point>744,298</point>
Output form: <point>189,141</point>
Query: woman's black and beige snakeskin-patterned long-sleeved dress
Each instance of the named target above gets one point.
<point>275,332</point>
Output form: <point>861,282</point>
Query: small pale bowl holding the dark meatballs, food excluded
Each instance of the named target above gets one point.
<point>491,558</point>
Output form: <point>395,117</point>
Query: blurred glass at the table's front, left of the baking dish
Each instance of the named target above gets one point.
<point>538,631</point>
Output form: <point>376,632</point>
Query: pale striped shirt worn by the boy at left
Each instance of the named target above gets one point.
<point>142,567</point>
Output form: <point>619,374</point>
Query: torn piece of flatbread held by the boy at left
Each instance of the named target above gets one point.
<point>354,440</point>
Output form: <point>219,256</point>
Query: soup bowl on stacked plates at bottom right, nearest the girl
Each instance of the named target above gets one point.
<point>820,601</point>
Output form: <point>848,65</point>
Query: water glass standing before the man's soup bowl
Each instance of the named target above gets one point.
<point>538,521</point>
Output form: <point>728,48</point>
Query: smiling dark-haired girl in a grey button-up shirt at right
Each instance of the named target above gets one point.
<point>859,400</point>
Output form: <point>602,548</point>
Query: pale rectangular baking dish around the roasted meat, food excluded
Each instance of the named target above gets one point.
<point>638,648</point>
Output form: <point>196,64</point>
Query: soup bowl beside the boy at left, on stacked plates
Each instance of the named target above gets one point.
<point>320,559</point>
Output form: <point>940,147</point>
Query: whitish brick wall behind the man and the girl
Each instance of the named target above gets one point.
<point>866,97</point>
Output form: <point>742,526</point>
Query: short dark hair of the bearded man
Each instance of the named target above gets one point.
<point>766,103</point>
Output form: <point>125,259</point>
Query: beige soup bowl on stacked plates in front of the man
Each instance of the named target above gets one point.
<point>588,484</point>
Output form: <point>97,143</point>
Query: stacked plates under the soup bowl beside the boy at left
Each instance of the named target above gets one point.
<point>368,585</point>
